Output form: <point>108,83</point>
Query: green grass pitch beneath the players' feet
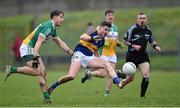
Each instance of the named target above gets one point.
<point>23,91</point>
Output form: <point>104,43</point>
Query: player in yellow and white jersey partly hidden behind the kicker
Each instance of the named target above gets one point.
<point>108,51</point>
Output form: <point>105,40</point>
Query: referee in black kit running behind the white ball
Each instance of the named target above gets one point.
<point>137,38</point>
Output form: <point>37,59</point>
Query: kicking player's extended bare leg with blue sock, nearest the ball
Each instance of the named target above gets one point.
<point>99,63</point>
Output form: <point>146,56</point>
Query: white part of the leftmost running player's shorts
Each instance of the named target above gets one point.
<point>26,50</point>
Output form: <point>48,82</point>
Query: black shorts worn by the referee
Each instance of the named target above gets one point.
<point>137,58</point>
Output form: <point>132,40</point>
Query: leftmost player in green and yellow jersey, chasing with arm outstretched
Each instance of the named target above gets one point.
<point>29,51</point>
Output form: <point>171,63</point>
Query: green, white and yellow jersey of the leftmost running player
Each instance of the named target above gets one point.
<point>47,30</point>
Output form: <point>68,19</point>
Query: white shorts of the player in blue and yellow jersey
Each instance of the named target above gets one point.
<point>79,56</point>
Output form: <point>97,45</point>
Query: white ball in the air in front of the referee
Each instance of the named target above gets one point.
<point>129,68</point>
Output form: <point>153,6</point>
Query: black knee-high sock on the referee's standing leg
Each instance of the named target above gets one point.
<point>144,86</point>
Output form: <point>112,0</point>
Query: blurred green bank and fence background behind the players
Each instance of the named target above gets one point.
<point>19,17</point>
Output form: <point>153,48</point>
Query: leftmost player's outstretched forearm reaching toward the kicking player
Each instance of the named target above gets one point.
<point>63,45</point>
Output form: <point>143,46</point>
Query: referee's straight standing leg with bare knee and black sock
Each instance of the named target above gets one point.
<point>144,68</point>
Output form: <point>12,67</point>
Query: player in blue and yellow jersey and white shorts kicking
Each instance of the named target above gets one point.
<point>86,55</point>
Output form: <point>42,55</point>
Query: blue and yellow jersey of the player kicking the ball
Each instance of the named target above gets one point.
<point>89,47</point>
